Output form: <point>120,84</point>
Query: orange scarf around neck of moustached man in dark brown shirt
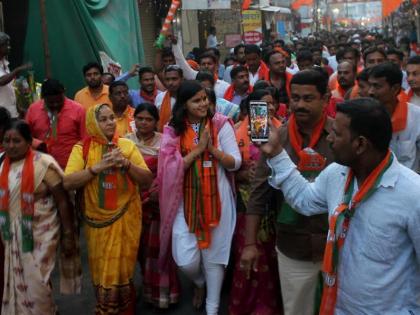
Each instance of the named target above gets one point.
<point>310,164</point>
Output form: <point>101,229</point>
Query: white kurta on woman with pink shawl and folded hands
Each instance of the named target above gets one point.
<point>184,243</point>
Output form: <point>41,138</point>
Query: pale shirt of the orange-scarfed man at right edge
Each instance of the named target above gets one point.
<point>406,144</point>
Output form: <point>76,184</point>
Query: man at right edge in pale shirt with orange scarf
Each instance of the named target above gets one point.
<point>385,85</point>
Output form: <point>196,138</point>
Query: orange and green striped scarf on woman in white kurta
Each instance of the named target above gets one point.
<point>202,206</point>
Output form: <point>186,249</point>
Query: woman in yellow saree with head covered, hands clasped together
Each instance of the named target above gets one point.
<point>110,170</point>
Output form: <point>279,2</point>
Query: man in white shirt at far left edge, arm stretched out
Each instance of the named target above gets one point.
<point>7,92</point>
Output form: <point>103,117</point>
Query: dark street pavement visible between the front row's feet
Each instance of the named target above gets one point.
<point>84,303</point>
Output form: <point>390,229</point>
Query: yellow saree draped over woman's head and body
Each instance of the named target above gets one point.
<point>112,235</point>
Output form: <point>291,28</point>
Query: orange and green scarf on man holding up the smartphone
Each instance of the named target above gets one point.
<point>338,228</point>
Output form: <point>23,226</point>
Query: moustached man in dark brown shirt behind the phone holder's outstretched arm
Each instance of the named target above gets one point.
<point>300,240</point>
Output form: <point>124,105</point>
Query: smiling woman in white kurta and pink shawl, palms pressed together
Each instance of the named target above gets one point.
<point>198,150</point>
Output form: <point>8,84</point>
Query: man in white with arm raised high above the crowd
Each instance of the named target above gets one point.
<point>207,62</point>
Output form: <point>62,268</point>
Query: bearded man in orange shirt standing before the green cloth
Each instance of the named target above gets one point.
<point>95,92</point>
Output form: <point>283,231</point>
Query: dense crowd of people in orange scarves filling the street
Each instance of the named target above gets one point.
<point>322,218</point>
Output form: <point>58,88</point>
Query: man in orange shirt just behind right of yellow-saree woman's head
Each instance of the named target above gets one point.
<point>120,99</point>
